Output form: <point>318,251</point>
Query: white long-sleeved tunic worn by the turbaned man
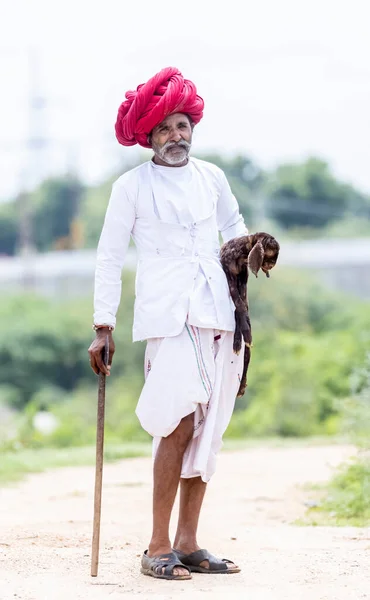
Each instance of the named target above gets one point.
<point>174,215</point>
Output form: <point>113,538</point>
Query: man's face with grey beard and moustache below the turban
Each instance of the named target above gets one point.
<point>171,139</point>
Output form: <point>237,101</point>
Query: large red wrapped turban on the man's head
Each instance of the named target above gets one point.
<point>164,94</point>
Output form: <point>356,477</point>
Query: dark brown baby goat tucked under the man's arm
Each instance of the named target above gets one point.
<point>258,251</point>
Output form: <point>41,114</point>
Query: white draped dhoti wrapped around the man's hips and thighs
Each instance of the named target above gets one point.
<point>194,372</point>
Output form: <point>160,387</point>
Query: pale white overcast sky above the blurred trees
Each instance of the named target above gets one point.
<point>281,79</point>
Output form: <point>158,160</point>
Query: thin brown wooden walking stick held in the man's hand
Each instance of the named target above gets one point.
<point>99,465</point>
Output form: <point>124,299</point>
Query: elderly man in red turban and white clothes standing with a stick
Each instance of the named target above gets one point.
<point>174,207</point>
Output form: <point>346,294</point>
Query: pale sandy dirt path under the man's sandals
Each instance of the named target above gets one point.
<point>45,525</point>
